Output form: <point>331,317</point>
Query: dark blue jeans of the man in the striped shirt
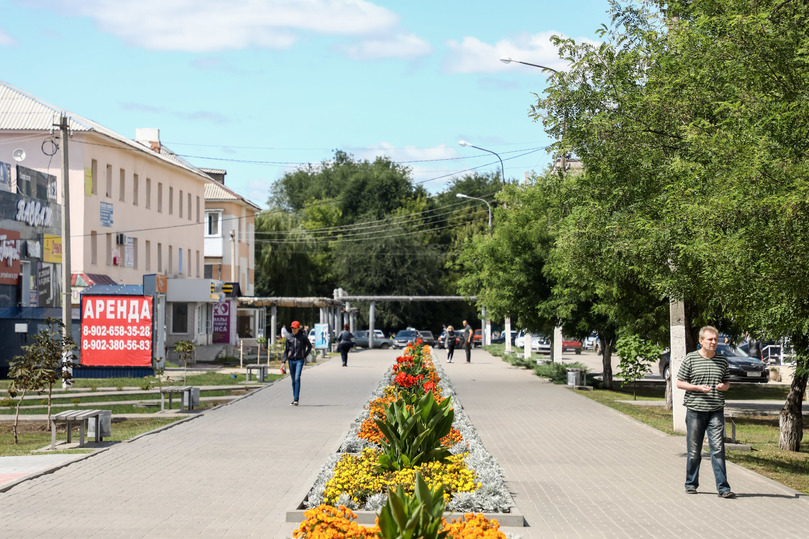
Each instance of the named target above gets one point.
<point>697,424</point>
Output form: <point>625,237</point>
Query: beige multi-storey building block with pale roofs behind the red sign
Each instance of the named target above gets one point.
<point>136,208</point>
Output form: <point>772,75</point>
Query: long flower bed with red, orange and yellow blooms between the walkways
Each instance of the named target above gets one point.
<point>358,477</point>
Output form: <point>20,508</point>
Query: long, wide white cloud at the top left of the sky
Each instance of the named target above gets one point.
<point>214,25</point>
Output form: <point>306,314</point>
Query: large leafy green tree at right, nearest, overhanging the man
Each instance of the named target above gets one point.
<point>692,125</point>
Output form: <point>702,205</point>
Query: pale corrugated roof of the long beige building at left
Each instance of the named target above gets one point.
<point>21,111</point>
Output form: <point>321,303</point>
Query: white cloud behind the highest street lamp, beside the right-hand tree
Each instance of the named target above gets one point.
<point>471,55</point>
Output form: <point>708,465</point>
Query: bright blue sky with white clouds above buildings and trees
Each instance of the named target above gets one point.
<point>262,87</point>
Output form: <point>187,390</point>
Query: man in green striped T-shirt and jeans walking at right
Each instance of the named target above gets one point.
<point>704,376</point>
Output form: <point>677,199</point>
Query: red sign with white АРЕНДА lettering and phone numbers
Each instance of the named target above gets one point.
<point>116,331</point>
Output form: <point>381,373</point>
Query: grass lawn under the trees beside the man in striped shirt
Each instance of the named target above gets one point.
<point>786,467</point>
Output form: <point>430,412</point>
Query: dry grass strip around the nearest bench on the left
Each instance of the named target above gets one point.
<point>34,435</point>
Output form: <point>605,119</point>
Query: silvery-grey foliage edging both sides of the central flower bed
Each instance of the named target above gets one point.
<point>492,499</point>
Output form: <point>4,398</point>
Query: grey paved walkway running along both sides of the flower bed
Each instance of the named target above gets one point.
<point>575,468</point>
